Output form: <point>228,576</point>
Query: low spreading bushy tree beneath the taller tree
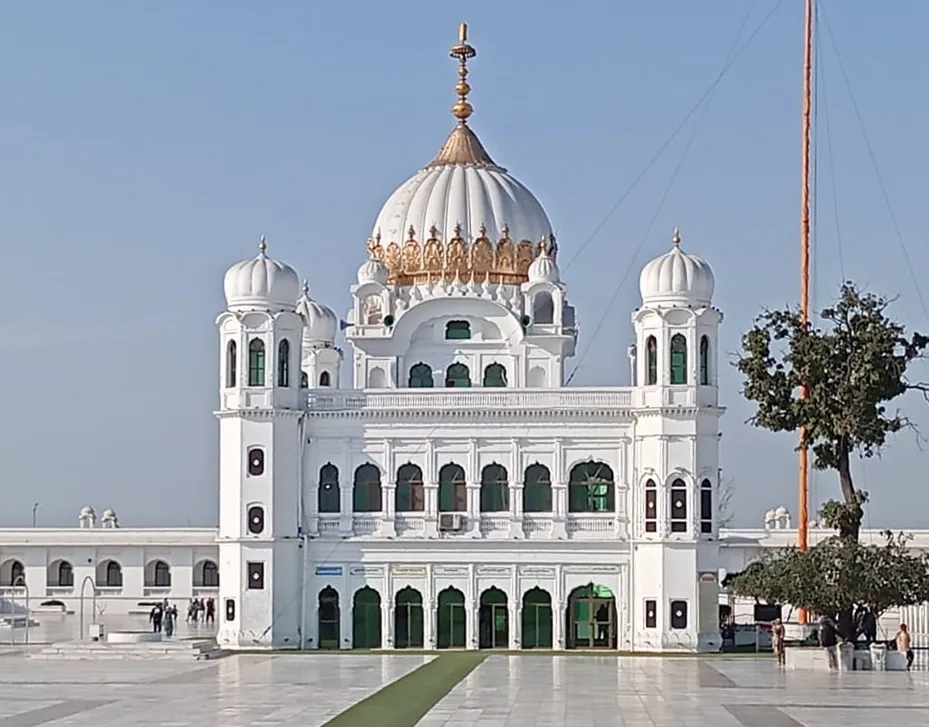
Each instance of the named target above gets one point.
<point>840,578</point>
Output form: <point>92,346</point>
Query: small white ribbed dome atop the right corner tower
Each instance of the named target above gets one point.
<point>677,278</point>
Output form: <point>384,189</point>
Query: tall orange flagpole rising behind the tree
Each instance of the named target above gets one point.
<point>803,490</point>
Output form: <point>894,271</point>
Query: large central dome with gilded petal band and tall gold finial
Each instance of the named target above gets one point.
<point>462,216</point>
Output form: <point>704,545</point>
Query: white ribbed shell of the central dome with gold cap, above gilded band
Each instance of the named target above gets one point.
<point>462,186</point>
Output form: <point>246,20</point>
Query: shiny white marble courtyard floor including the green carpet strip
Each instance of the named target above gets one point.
<point>310,690</point>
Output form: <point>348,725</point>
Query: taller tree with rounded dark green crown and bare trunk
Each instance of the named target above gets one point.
<point>851,370</point>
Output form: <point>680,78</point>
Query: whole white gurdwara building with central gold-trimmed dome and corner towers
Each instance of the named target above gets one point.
<point>458,494</point>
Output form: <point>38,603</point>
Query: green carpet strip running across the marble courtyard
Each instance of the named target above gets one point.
<point>407,700</point>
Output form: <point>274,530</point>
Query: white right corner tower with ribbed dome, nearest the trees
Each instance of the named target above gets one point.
<point>675,556</point>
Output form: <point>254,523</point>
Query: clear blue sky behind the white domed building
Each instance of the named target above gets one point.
<point>145,146</point>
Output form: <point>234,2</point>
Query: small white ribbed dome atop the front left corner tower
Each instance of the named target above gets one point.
<point>261,283</point>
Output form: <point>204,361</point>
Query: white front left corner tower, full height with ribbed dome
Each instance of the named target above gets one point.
<point>261,417</point>
